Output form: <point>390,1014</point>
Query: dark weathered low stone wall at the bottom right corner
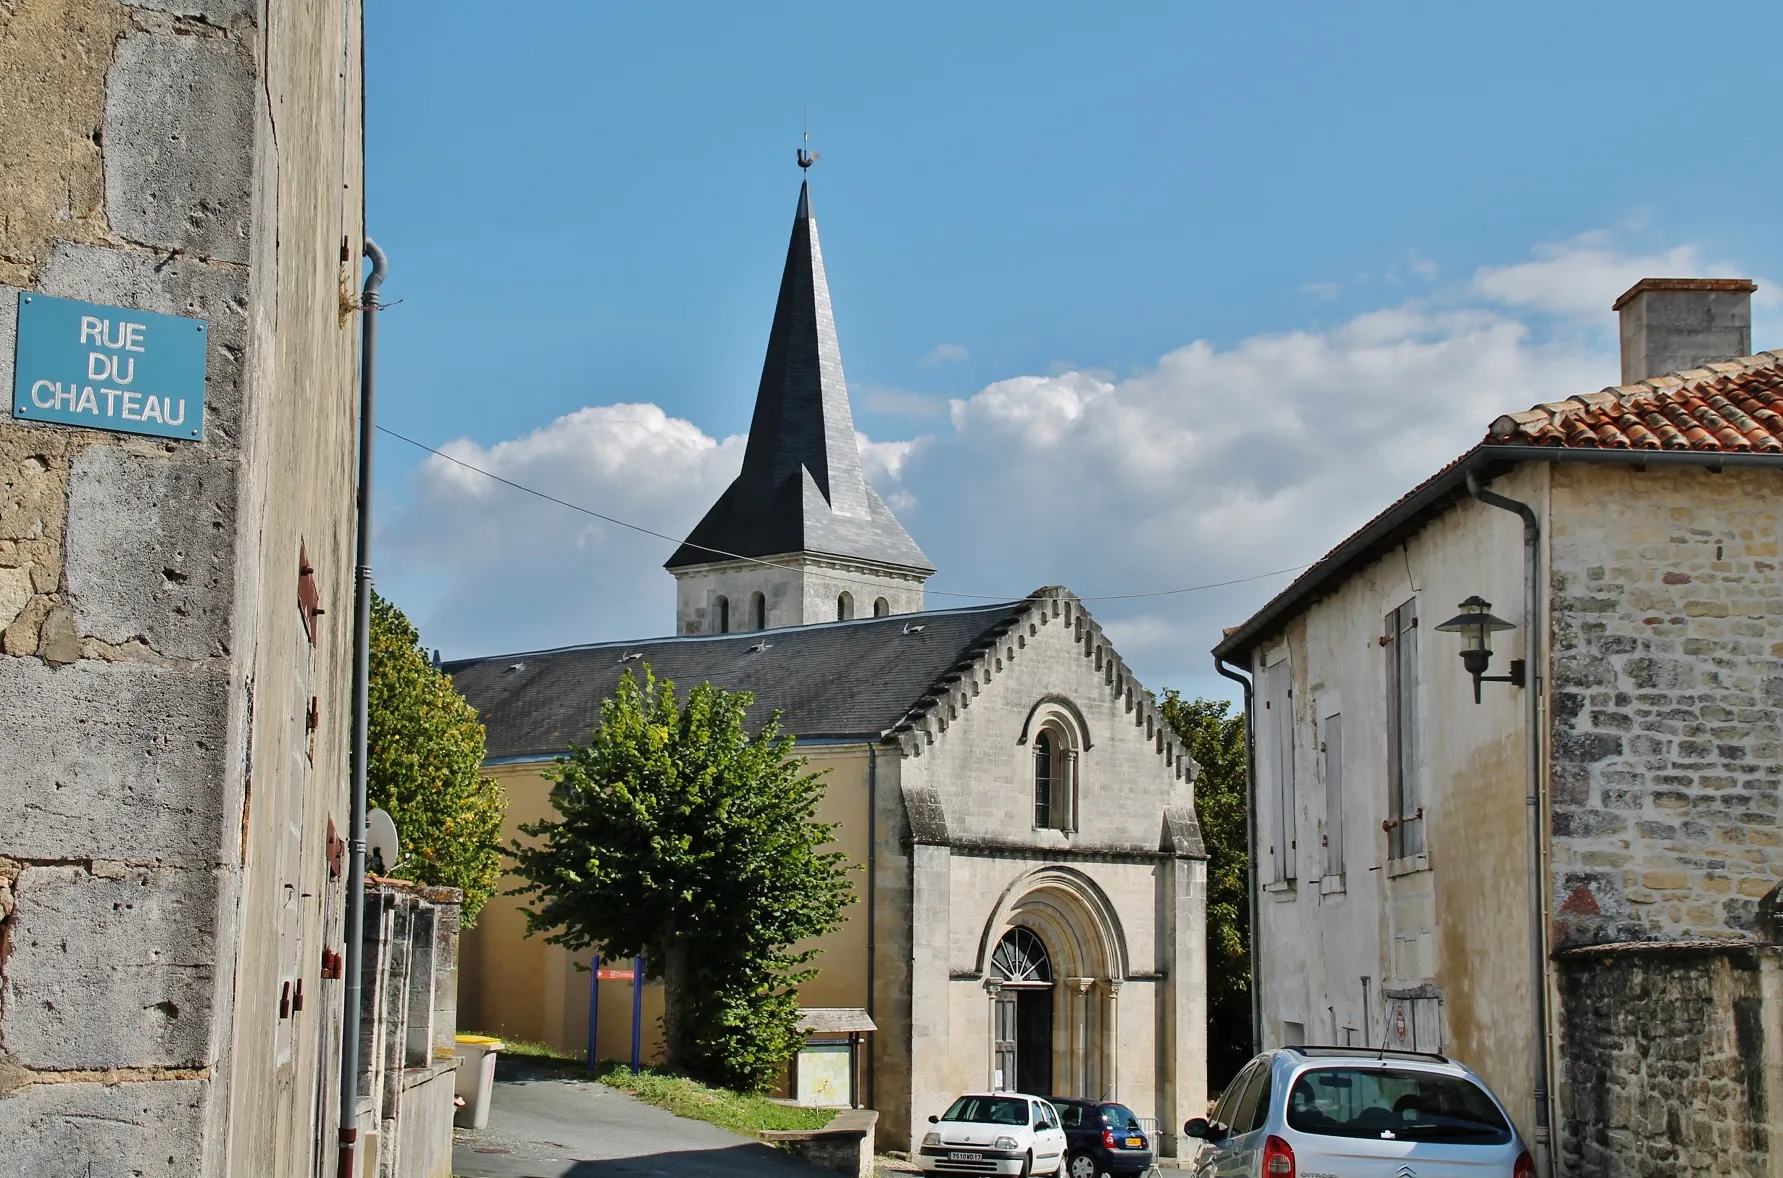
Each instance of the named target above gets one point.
<point>1670,1058</point>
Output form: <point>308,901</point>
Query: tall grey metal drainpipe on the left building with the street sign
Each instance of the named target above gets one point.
<point>356,876</point>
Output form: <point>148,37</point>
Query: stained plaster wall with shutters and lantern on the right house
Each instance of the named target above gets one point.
<point>1450,924</point>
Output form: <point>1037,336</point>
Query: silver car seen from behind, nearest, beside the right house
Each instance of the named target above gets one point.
<point>1327,1113</point>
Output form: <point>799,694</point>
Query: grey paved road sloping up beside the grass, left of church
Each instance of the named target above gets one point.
<point>543,1125</point>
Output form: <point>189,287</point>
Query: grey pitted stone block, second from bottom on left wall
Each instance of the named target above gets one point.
<point>111,970</point>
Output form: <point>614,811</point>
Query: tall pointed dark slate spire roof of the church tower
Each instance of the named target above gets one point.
<point>801,487</point>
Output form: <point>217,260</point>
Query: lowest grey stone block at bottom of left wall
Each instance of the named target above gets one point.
<point>106,1131</point>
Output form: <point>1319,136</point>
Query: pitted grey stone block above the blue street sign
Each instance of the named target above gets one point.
<point>179,145</point>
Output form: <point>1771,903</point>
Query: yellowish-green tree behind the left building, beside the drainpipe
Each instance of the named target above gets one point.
<point>425,758</point>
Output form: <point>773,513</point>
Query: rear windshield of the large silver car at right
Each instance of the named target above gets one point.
<point>1393,1104</point>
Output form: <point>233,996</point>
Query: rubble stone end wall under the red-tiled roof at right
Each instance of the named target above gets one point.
<point>1668,705</point>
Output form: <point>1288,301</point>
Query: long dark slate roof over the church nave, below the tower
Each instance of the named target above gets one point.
<point>835,680</point>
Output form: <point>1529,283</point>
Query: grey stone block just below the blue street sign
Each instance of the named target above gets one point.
<point>151,550</point>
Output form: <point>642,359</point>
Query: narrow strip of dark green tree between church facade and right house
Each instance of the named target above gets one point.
<point>1217,742</point>
